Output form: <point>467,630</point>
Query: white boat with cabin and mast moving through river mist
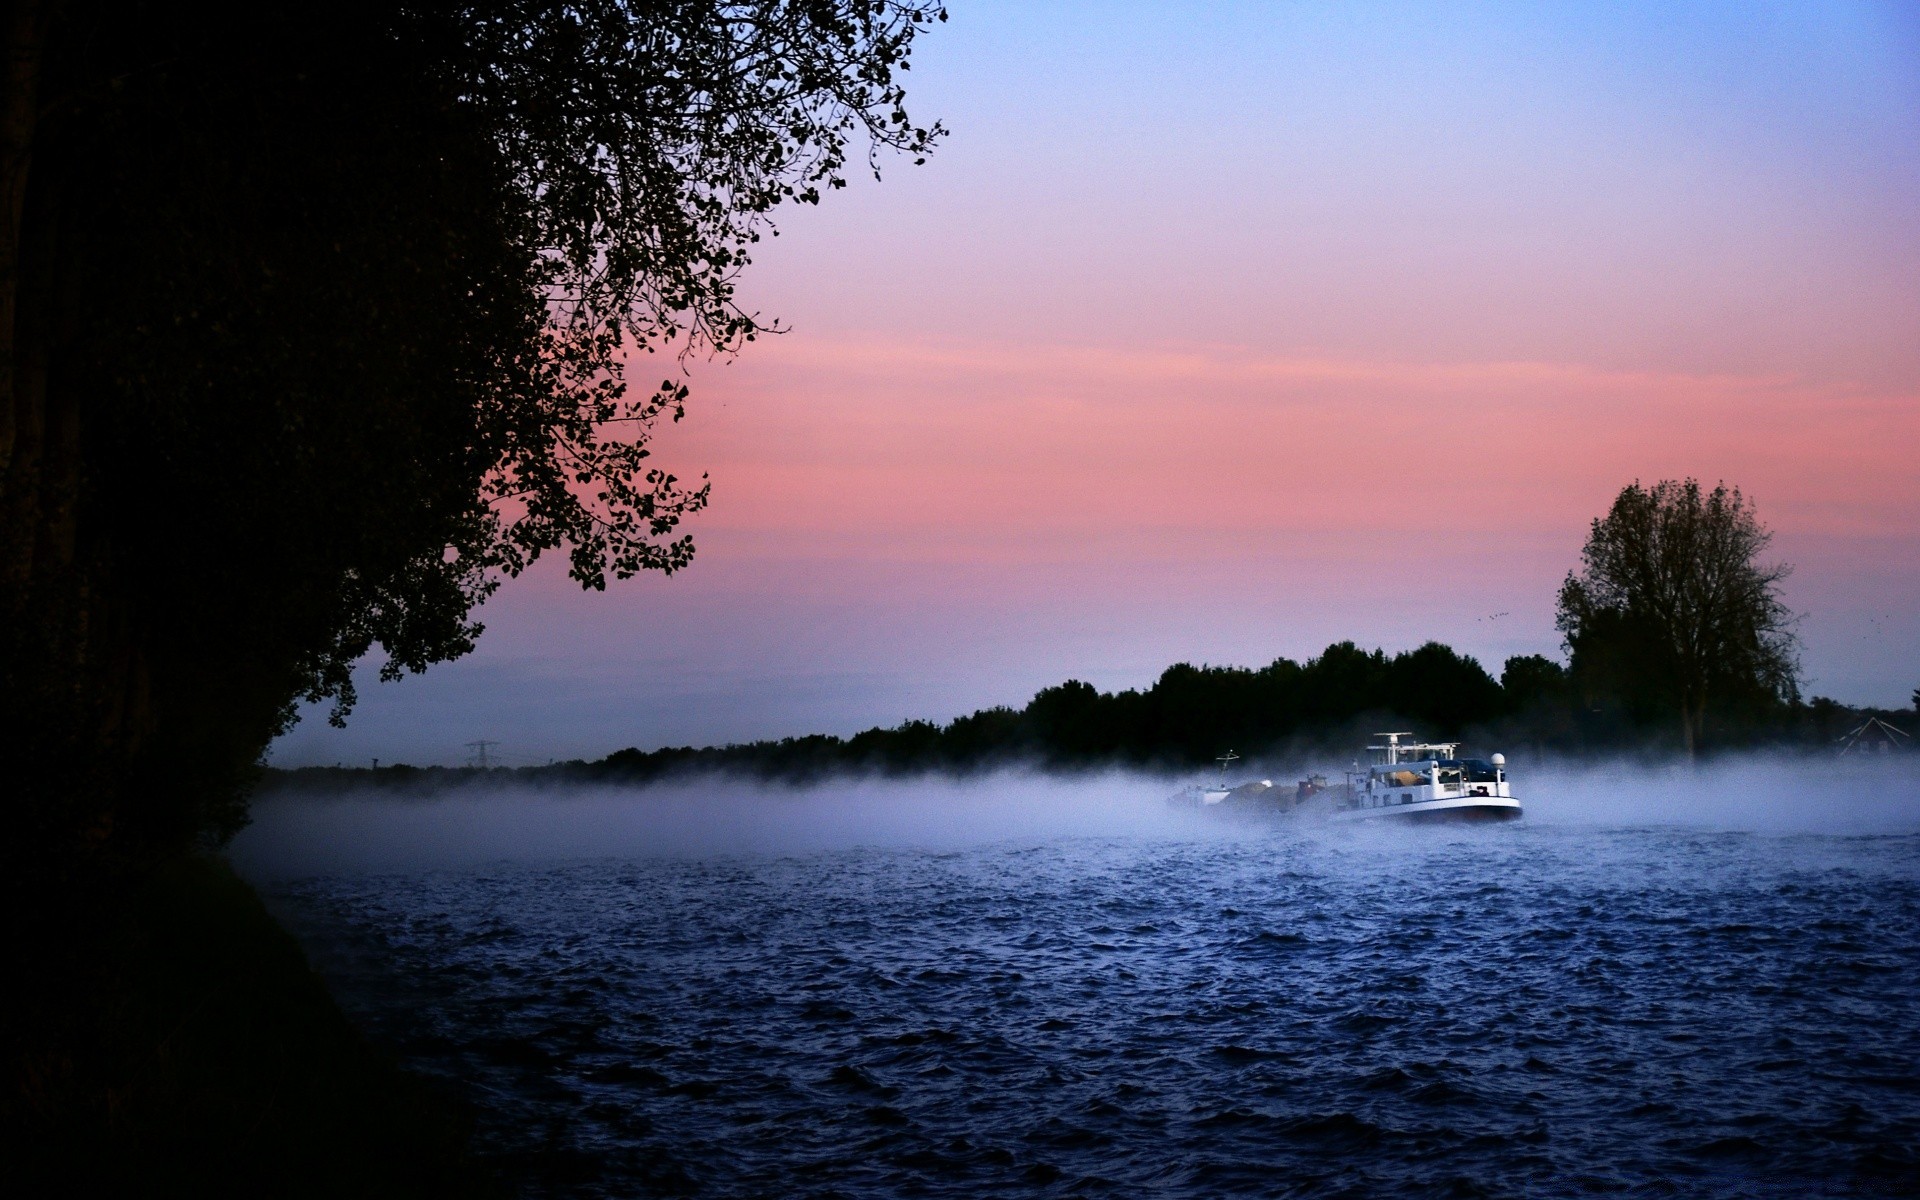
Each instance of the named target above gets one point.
<point>1426,782</point>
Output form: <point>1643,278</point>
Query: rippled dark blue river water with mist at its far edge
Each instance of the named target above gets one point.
<point>1019,992</point>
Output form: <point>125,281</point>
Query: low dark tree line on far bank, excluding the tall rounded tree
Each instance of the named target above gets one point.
<point>1320,709</point>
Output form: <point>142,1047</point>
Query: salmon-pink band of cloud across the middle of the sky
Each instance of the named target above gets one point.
<point>990,452</point>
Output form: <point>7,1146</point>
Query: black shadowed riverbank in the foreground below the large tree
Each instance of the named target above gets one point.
<point>183,1047</point>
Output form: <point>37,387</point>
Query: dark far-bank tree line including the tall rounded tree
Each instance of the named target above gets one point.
<point>1675,633</point>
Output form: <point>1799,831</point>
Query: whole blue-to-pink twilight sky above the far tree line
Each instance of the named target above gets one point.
<point>1218,333</point>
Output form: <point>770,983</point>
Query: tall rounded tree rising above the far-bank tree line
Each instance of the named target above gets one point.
<point>1673,613</point>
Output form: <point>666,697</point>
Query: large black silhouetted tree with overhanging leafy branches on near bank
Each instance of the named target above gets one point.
<point>316,322</point>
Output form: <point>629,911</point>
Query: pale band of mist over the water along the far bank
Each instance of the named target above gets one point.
<point>489,823</point>
